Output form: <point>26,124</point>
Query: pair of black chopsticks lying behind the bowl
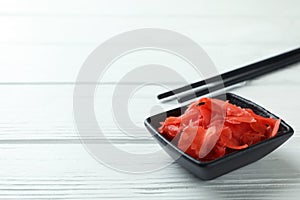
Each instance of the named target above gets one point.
<point>236,76</point>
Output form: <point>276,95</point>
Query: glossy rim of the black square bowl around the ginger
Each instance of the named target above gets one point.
<point>288,130</point>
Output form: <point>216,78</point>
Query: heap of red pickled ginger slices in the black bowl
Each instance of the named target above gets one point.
<point>212,128</point>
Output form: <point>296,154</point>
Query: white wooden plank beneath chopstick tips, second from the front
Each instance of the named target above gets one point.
<point>36,113</point>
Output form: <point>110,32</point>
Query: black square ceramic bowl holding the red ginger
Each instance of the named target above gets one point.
<point>229,162</point>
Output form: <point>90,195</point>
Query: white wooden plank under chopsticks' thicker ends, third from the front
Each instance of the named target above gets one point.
<point>61,63</point>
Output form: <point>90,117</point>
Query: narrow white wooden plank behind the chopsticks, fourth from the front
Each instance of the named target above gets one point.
<point>220,30</point>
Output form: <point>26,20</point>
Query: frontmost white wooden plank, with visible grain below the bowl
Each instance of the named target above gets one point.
<point>58,171</point>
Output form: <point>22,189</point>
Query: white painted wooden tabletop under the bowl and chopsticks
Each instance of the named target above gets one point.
<point>42,47</point>
